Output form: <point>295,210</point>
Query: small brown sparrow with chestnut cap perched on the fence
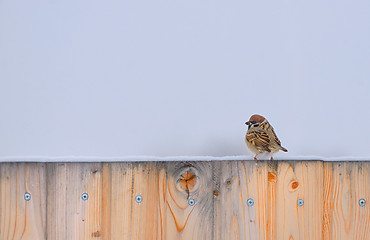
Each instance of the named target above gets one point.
<point>261,137</point>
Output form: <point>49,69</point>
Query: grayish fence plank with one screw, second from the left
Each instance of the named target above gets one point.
<point>70,217</point>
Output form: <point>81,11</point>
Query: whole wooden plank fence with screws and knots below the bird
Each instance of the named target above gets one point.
<point>185,200</point>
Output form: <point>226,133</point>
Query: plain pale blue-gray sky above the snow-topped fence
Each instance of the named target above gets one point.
<point>166,78</point>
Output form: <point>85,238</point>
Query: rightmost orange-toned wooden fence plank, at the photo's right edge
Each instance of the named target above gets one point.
<point>345,183</point>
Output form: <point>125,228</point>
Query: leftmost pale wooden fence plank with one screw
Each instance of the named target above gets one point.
<point>21,219</point>
